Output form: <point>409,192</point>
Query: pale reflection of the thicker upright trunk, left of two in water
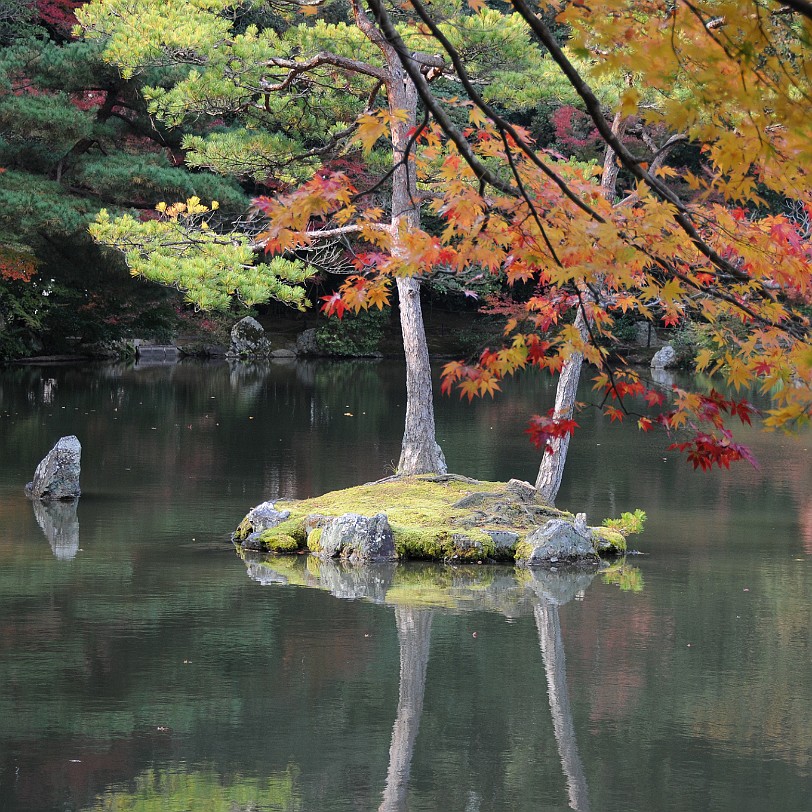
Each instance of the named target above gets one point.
<point>414,634</point>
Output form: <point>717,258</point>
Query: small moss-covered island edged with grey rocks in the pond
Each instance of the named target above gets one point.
<point>427,517</point>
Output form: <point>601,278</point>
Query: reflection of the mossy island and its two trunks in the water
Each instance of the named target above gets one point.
<point>414,591</point>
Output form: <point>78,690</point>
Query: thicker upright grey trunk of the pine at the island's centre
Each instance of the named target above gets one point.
<point>420,453</point>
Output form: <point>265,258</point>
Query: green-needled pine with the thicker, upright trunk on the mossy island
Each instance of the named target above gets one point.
<point>275,82</point>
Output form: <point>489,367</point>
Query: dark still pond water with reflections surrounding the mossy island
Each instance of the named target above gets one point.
<point>144,666</point>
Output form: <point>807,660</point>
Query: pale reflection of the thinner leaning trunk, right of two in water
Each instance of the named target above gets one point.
<point>548,623</point>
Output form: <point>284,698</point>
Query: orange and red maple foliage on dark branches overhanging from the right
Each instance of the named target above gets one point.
<point>712,255</point>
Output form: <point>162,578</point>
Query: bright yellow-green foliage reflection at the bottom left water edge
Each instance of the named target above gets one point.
<point>179,791</point>
